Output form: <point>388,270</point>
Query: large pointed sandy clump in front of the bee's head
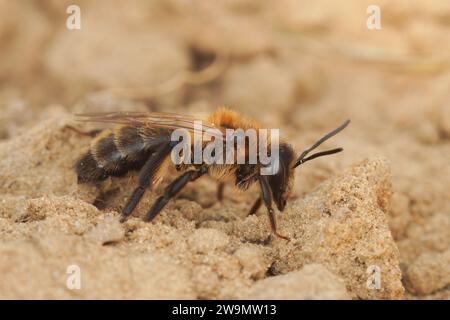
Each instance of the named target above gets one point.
<point>343,225</point>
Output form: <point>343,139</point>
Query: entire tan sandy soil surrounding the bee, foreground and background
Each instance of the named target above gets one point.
<point>380,208</point>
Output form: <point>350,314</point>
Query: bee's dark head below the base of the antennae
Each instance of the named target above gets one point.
<point>281,182</point>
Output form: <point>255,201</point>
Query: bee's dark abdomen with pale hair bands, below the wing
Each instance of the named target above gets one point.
<point>113,154</point>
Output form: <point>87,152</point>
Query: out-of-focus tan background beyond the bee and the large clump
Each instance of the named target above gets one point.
<point>301,66</point>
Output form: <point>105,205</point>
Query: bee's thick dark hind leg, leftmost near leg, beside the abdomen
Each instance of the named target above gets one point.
<point>146,176</point>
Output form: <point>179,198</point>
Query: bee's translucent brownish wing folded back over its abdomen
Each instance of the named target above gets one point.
<point>171,121</point>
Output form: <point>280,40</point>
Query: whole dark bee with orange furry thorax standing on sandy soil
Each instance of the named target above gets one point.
<point>142,141</point>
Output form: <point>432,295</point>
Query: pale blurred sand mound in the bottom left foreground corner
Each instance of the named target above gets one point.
<point>40,265</point>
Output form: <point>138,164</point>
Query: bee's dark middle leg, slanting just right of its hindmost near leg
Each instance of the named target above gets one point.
<point>172,190</point>
